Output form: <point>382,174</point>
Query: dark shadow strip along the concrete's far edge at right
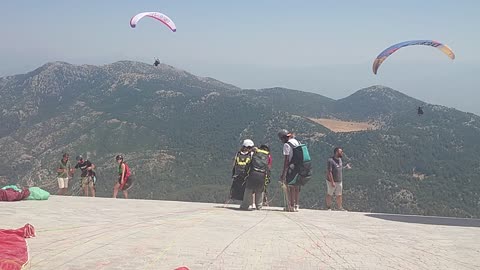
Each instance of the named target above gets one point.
<point>445,221</point>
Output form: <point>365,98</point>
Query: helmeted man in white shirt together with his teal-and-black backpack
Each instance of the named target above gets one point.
<point>296,168</point>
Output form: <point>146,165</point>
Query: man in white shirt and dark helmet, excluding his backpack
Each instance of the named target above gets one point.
<point>288,172</point>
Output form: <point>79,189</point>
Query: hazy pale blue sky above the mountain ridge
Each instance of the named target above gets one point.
<point>326,47</point>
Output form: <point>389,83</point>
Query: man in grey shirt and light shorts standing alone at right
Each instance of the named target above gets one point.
<point>335,179</point>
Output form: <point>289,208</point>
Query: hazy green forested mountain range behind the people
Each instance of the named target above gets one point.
<point>179,133</point>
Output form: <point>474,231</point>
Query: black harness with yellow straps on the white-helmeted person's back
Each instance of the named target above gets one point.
<point>239,175</point>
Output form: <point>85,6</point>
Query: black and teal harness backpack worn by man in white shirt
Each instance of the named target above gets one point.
<point>300,169</point>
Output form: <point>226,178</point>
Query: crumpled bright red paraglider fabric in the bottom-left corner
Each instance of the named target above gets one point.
<point>13,247</point>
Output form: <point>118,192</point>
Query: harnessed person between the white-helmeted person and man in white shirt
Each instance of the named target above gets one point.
<point>257,172</point>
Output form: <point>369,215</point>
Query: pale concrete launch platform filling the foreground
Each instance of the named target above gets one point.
<point>101,233</point>
